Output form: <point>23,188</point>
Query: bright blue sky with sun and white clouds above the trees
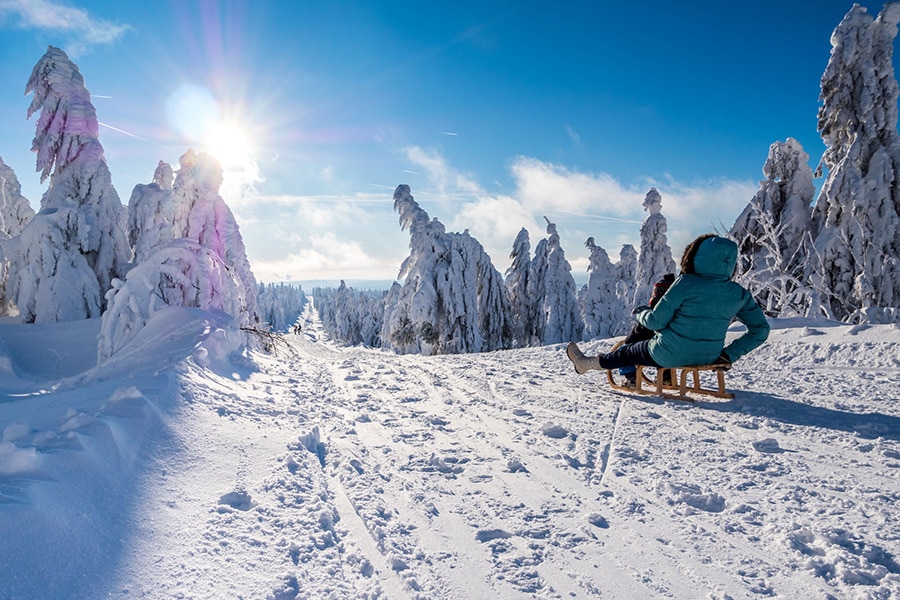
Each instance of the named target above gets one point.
<point>496,113</point>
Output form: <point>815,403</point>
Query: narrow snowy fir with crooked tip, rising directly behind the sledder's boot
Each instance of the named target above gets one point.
<point>555,312</point>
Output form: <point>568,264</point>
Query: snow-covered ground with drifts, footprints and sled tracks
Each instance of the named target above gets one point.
<point>176,471</point>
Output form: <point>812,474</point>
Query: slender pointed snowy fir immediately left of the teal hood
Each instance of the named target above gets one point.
<point>655,258</point>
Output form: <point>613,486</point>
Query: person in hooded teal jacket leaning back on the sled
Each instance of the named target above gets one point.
<point>691,319</point>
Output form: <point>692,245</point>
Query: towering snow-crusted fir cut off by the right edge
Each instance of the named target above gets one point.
<point>856,220</point>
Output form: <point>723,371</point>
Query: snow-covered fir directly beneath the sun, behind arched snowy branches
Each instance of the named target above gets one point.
<point>201,215</point>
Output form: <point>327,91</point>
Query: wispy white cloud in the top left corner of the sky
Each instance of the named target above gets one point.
<point>43,14</point>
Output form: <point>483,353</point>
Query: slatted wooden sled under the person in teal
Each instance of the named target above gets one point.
<point>675,386</point>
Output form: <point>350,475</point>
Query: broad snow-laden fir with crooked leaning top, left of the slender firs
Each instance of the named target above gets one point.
<point>452,299</point>
